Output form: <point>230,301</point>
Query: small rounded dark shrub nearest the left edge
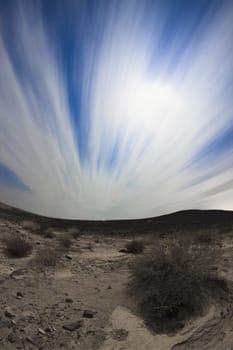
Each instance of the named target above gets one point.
<point>17,246</point>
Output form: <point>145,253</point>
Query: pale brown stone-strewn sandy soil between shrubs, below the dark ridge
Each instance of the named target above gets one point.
<point>87,291</point>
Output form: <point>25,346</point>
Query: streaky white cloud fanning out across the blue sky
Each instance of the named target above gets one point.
<point>158,122</point>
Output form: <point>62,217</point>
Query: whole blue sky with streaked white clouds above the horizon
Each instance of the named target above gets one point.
<point>116,109</point>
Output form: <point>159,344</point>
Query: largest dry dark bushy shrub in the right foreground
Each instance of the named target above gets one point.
<point>172,283</point>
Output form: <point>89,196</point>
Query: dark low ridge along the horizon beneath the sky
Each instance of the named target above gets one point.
<point>185,219</point>
